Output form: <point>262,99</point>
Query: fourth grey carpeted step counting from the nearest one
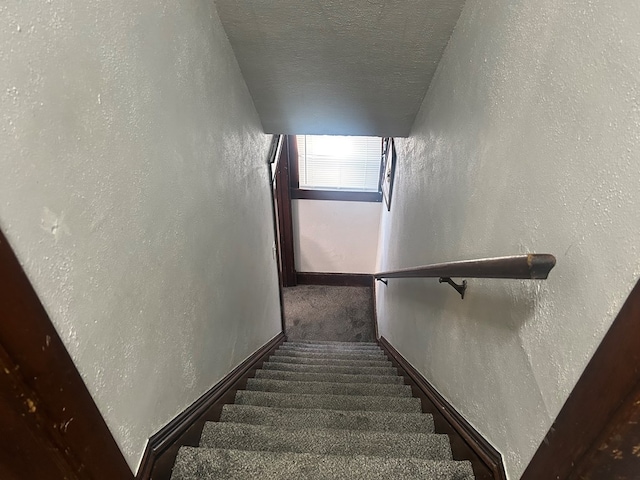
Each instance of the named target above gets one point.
<point>330,402</point>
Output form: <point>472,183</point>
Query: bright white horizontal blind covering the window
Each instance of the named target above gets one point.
<point>339,163</point>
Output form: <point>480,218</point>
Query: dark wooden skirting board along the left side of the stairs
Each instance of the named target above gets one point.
<point>185,429</point>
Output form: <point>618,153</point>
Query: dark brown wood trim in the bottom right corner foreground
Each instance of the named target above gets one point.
<point>596,434</point>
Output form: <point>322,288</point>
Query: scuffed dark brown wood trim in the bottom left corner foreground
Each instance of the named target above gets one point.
<point>56,428</point>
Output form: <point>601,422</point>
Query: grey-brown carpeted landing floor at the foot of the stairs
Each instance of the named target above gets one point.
<point>341,314</point>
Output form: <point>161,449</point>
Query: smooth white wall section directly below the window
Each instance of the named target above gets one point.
<point>335,237</point>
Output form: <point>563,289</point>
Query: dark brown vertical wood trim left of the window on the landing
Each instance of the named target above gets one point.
<point>285,219</point>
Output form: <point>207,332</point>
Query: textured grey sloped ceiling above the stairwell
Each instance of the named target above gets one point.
<point>338,67</point>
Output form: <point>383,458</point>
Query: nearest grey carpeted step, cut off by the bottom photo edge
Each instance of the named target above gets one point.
<point>209,464</point>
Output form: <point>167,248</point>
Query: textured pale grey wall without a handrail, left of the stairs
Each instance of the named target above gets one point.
<point>134,189</point>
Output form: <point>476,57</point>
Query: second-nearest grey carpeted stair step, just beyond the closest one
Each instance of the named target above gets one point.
<point>240,436</point>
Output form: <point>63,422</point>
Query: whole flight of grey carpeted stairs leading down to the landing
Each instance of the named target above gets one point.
<point>323,410</point>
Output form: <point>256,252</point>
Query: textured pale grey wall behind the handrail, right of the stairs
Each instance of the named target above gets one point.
<point>528,140</point>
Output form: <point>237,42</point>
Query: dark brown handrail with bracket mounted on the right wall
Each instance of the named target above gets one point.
<point>535,266</point>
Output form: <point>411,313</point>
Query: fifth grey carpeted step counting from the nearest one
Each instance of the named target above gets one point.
<point>328,388</point>
